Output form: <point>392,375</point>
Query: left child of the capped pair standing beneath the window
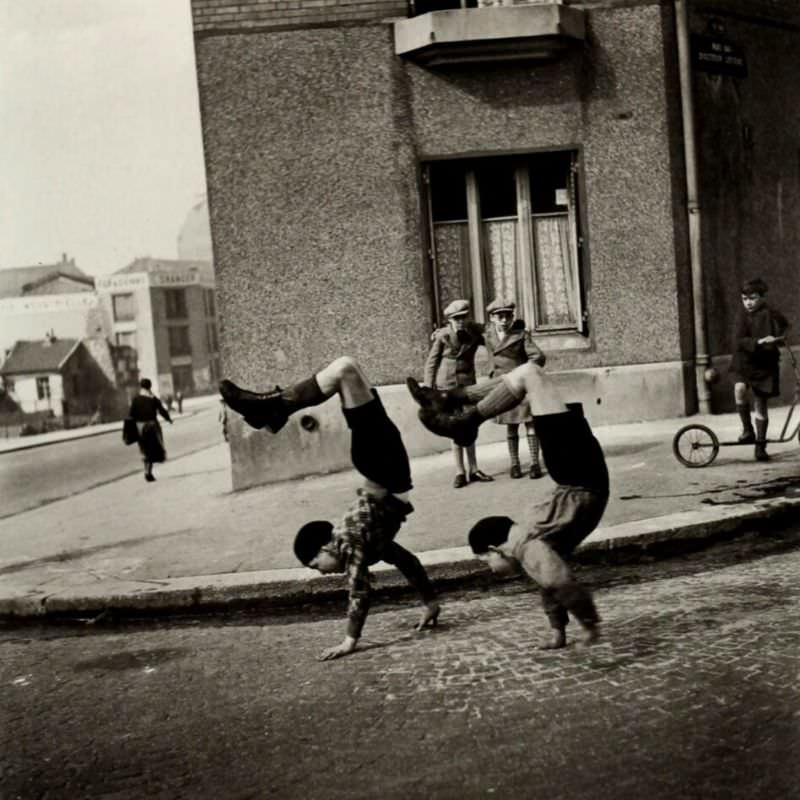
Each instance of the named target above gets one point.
<point>451,363</point>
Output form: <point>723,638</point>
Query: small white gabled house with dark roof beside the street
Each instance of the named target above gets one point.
<point>69,378</point>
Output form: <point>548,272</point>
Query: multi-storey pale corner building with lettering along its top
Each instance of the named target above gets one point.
<point>165,310</point>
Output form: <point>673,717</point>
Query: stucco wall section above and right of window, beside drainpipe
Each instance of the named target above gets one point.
<point>610,100</point>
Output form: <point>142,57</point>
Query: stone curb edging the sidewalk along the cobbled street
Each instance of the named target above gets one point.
<point>293,587</point>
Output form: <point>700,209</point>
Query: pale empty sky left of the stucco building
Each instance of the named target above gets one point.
<point>100,146</point>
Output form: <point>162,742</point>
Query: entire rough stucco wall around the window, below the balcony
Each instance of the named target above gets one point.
<point>313,142</point>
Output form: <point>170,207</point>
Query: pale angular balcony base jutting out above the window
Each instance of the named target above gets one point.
<point>531,32</point>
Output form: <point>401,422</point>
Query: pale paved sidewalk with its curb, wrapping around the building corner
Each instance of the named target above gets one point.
<point>188,543</point>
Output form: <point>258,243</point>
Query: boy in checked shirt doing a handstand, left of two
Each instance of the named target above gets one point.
<point>367,531</point>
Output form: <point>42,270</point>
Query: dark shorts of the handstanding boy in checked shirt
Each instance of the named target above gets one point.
<point>376,448</point>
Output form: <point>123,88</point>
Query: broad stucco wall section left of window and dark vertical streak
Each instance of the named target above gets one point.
<point>314,202</point>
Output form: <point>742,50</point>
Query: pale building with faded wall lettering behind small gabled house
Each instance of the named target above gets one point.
<point>44,297</point>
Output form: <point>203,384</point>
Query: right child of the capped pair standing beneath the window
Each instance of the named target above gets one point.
<point>509,346</point>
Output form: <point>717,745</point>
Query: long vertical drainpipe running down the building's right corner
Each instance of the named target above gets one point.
<point>701,358</point>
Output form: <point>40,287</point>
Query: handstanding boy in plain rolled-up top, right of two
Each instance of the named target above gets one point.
<point>547,532</point>
